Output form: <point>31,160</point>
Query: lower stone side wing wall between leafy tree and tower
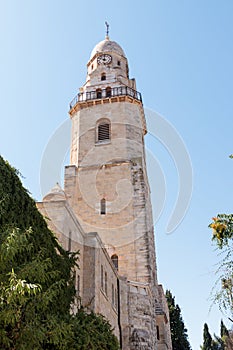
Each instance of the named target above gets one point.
<point>99,298</point>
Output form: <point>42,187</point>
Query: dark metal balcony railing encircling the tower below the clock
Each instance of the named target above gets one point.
<point>106,93</point>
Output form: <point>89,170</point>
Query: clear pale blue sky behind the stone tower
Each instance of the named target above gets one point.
<point>181,54</point>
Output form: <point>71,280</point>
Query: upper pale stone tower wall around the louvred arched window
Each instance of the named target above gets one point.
<point>85,150</point>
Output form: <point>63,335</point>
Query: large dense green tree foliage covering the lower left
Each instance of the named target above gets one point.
<point>37,282</point>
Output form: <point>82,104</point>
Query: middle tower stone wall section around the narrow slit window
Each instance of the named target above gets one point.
<point>125,226</point>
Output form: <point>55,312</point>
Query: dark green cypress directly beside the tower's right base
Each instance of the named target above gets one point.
<point>178,331</point>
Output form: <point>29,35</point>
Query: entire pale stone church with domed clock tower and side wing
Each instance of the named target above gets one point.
<point>104,210</point>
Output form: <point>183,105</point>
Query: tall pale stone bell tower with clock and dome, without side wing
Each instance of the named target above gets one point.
<point>106,184</point>
